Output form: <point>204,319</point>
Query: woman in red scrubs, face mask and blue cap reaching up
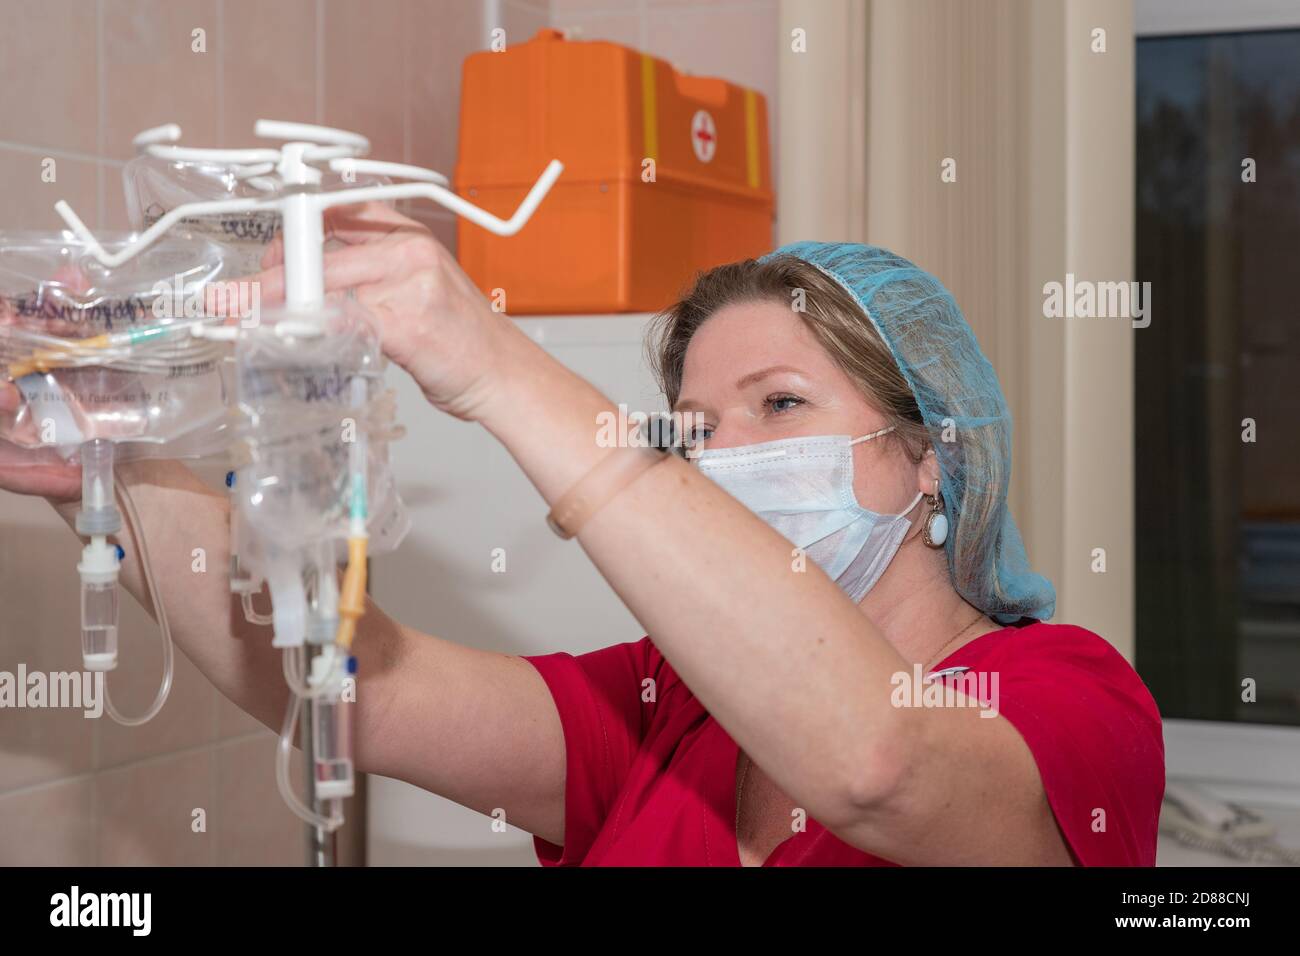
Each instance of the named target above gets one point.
<point>838,525</point>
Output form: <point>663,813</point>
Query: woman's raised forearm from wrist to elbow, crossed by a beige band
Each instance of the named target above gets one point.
<point>794,671</point>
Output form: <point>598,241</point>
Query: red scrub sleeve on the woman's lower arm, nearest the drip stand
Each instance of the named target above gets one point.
<point>599,699</point>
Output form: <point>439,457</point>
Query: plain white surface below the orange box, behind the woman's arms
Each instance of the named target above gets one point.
<point>467,498</point>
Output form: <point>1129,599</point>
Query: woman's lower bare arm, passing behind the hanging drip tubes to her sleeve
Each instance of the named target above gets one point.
<point>470,725</point>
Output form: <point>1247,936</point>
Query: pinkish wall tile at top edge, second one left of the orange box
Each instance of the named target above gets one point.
<point>365,72</point>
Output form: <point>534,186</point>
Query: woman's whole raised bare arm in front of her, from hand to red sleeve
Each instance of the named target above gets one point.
<point>795,672</point>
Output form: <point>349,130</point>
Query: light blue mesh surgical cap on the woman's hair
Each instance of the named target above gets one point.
<point>964,410</point>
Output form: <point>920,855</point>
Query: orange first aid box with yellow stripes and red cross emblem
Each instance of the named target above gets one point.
<point>665,175</point>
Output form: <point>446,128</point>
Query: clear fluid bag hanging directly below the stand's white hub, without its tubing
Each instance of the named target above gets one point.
<point>304,403</point>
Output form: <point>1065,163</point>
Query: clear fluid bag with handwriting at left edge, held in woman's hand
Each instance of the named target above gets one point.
<point>99,353</point>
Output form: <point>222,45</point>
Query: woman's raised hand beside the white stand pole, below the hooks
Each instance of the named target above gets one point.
<point>434,321</point>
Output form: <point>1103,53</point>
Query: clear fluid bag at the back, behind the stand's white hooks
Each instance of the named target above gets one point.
<point>155,187</point>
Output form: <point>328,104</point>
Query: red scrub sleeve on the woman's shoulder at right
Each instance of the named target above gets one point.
<point>1097,738</point>
